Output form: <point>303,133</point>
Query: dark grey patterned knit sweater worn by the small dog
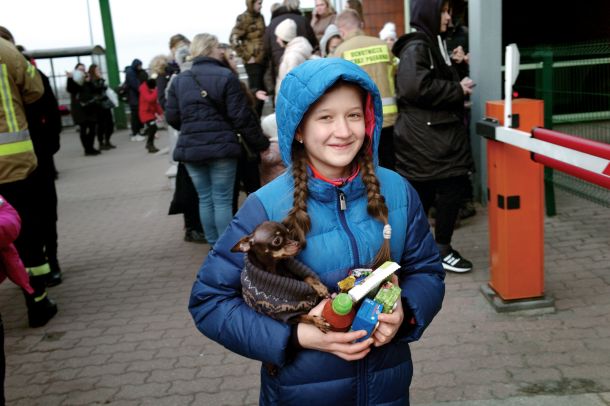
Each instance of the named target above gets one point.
<point>279,297</point>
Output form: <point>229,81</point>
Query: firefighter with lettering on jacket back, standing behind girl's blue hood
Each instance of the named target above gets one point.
<point>372,55</point>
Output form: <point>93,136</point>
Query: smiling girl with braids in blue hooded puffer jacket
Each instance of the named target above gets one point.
<point>336,199</point>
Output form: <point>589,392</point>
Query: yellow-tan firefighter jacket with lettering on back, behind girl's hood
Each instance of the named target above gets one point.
<point>374,56</point>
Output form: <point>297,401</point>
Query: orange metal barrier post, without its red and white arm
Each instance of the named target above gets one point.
<point>515,202</point>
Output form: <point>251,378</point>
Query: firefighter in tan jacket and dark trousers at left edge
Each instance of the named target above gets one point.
<point>21,84</point>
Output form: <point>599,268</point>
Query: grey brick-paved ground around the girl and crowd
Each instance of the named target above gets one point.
<point>123,335</point>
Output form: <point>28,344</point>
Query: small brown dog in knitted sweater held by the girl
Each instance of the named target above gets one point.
<point>270,249</point>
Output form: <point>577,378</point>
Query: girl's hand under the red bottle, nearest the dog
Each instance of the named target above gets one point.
<point>339,344</point>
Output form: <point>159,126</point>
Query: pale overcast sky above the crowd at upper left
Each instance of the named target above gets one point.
<point>142,28</point>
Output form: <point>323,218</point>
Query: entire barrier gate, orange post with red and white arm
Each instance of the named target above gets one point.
<point>516,151</point>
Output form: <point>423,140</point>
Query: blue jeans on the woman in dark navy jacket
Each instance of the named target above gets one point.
<point>214,182</point>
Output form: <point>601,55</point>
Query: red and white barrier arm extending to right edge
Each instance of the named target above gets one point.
<point>585,159</point>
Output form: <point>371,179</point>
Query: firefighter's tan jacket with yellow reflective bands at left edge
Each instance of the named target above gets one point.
<point>20,84</point>
